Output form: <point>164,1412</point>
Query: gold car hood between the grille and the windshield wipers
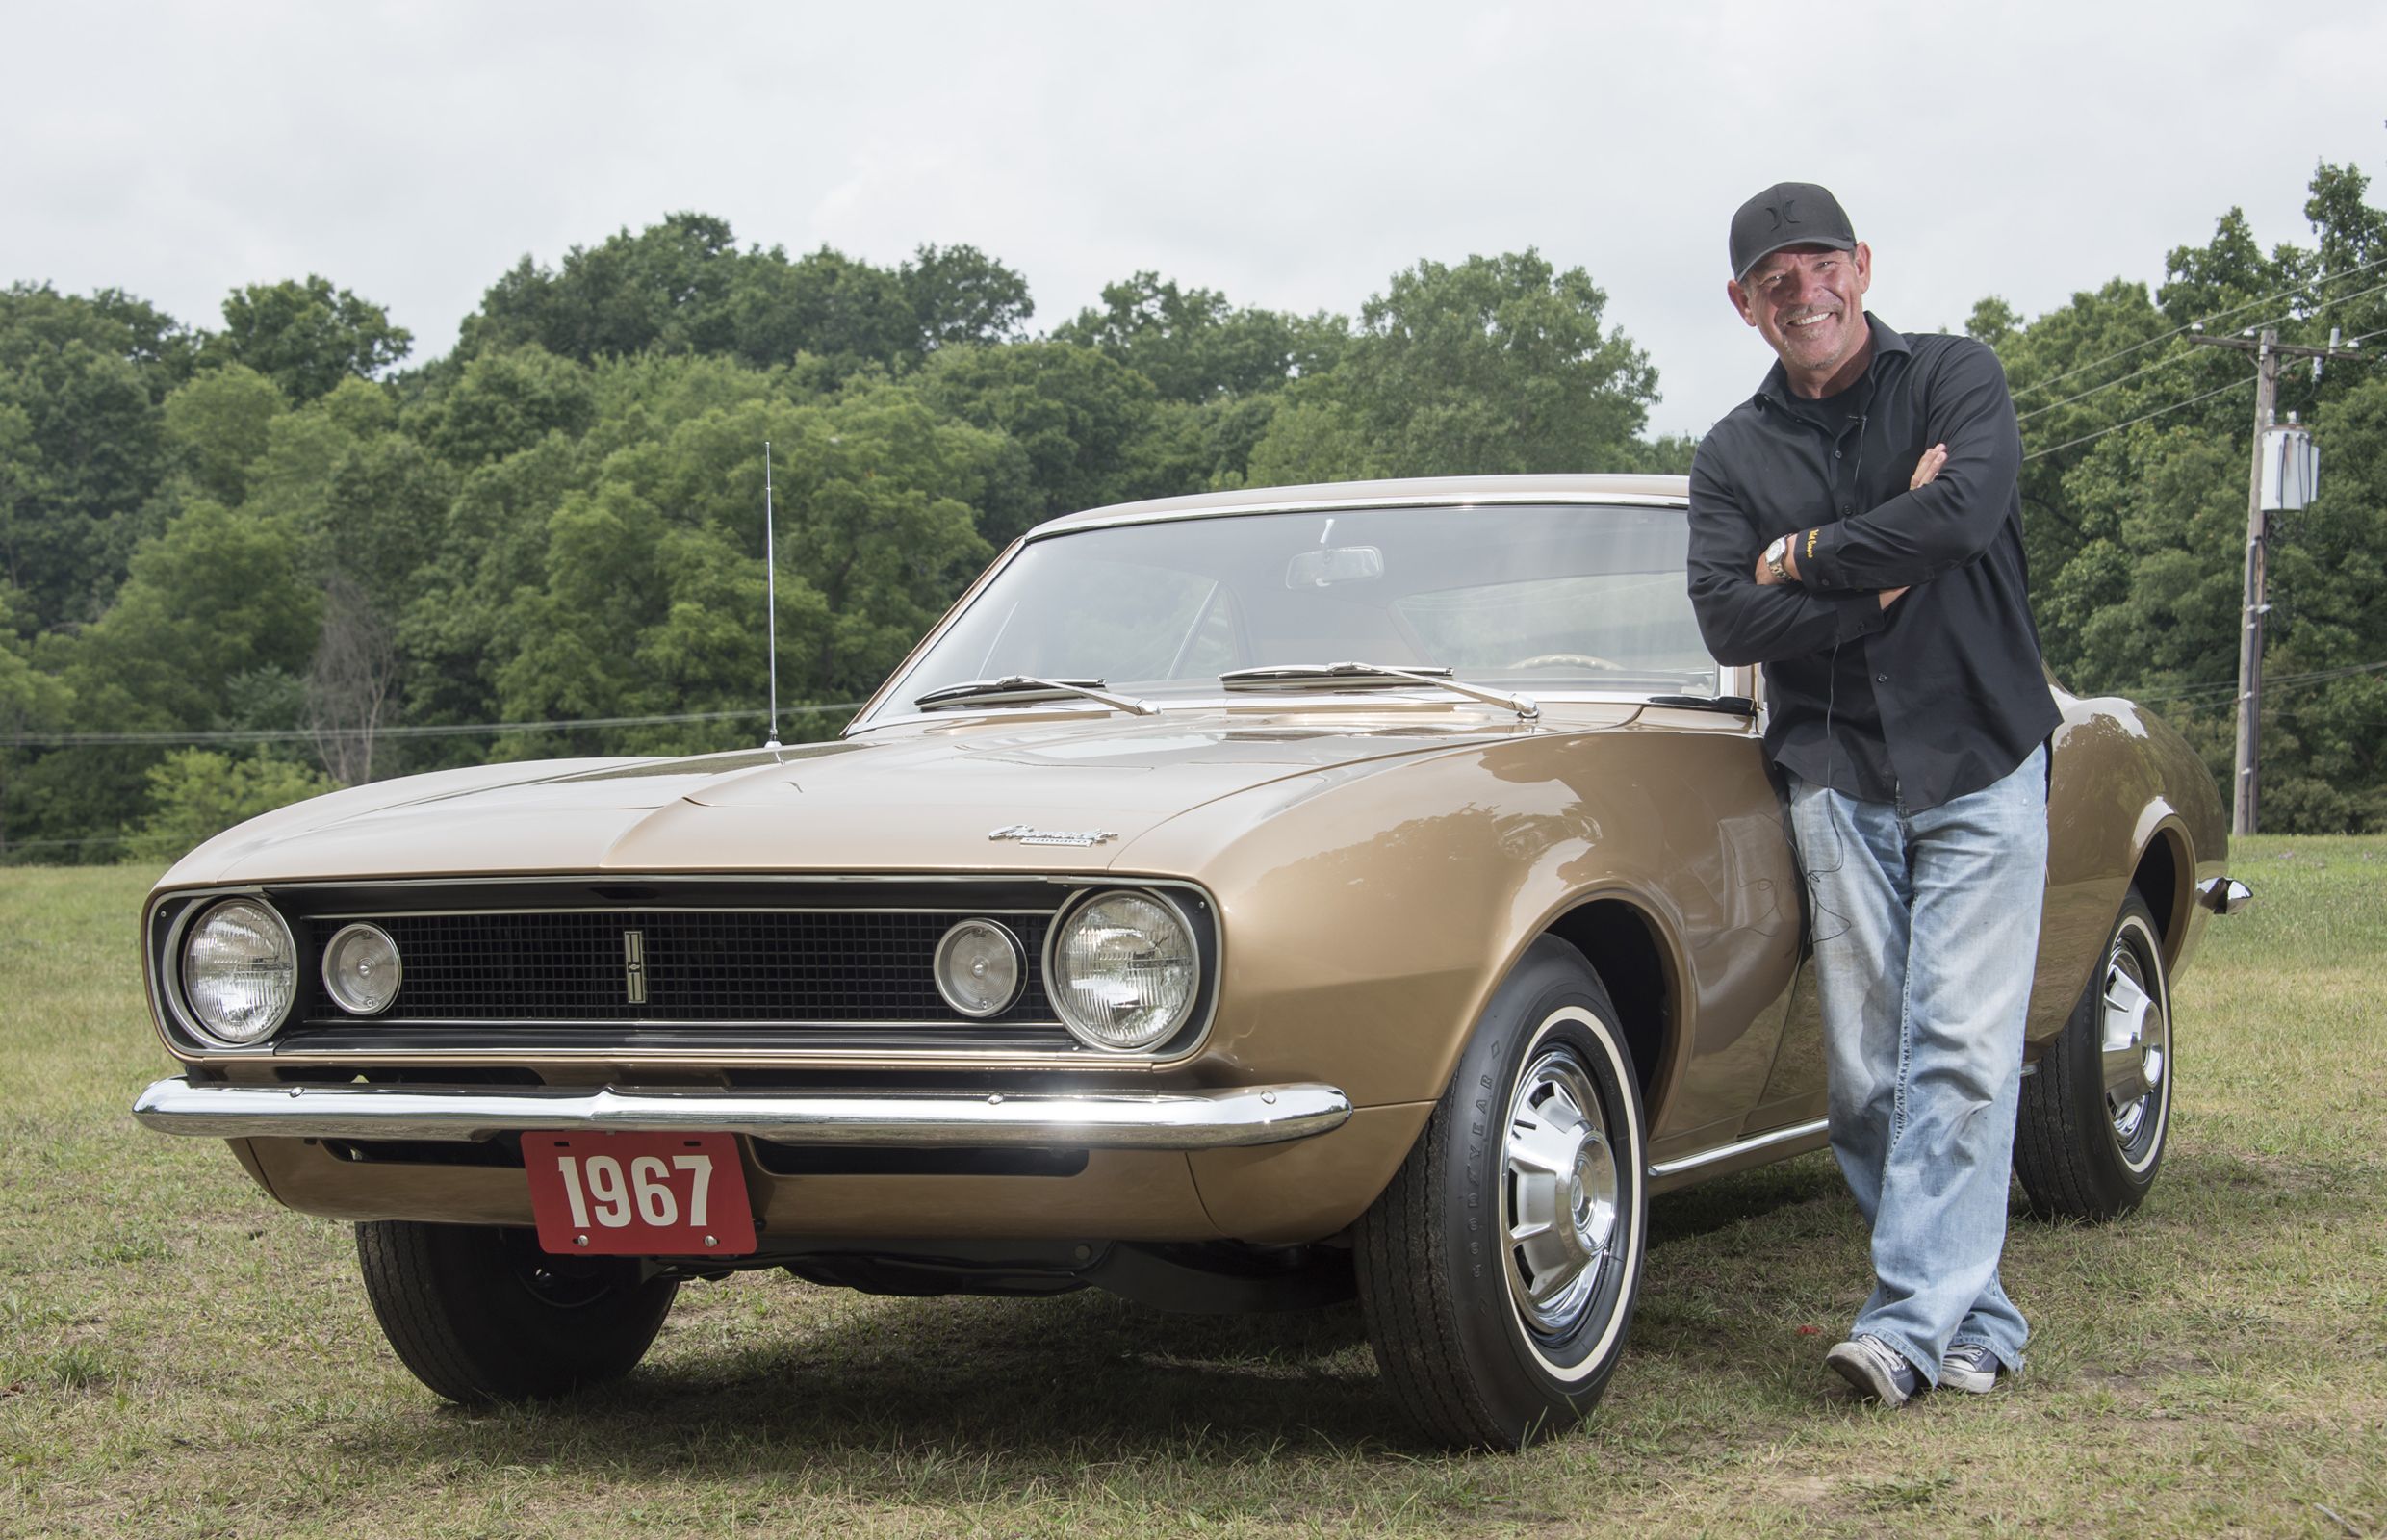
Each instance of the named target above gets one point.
<point>1066,791</point>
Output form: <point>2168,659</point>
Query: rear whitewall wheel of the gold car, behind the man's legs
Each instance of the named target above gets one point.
<point>2097,1114</point>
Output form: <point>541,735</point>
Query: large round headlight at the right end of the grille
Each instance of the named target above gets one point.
<point>1123,971</point>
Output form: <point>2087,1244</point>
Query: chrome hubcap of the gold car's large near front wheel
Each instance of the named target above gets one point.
<point>1560,1193</point>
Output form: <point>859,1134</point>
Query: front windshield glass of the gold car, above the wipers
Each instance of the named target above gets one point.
<point>1519,598</point>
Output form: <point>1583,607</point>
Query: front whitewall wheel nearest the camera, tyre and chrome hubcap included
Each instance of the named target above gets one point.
<point>1498,1269</point>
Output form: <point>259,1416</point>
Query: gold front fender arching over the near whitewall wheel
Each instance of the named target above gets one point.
<point>1369,913</point>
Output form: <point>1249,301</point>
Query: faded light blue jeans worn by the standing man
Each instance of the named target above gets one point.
<point>1925,942</point>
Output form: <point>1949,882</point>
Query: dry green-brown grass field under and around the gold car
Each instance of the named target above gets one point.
<point>180,1357</point>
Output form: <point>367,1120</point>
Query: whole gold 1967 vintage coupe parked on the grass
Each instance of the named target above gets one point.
<point>1235,901</point>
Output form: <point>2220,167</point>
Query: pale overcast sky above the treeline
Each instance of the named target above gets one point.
<point>1285,154</point>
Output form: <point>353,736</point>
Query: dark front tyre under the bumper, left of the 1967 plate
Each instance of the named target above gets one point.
<point>486,1317</point>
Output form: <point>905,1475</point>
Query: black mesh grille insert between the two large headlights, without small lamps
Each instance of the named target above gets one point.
<point>696,968</point>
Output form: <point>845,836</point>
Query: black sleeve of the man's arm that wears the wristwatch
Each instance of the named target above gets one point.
<point>1947,522</point>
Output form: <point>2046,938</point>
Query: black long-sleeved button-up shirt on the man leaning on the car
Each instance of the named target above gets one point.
<point>1937,696</point>
